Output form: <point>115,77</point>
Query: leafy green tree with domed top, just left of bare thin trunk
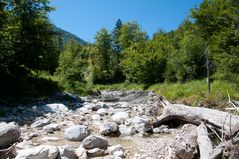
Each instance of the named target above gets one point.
<point>187,60</point>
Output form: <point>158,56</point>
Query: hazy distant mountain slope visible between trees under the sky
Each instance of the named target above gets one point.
<point>67,36</point>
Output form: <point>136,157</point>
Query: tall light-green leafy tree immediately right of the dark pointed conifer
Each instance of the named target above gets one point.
<point>132,42</point>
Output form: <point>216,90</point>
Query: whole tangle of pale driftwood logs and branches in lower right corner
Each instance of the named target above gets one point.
<point>223,124</point>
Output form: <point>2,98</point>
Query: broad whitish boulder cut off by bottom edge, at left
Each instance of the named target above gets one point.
<point>39,152</point>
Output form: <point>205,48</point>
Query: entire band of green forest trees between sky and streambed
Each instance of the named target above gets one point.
<point>205,44</point>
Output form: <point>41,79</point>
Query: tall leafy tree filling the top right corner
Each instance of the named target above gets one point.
<point>218,22</point>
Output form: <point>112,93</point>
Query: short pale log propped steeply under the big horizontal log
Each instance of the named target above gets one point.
<point>204,142</point>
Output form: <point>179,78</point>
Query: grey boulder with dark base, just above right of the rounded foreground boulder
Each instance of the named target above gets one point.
<point>110,129</point>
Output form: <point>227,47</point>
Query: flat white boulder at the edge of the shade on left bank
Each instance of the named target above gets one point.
<point>55,108</point>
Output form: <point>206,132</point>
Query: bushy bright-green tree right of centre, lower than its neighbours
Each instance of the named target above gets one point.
<point>145,62</point>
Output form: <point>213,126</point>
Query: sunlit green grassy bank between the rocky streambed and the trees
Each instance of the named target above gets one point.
<point>194,93</point>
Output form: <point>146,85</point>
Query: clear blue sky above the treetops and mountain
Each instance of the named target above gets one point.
<point>85,17</point>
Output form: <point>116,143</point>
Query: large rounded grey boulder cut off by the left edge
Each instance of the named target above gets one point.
<point>9,134</point>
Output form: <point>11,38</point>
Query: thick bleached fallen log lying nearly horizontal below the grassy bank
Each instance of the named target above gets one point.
<point>223,122</point>
